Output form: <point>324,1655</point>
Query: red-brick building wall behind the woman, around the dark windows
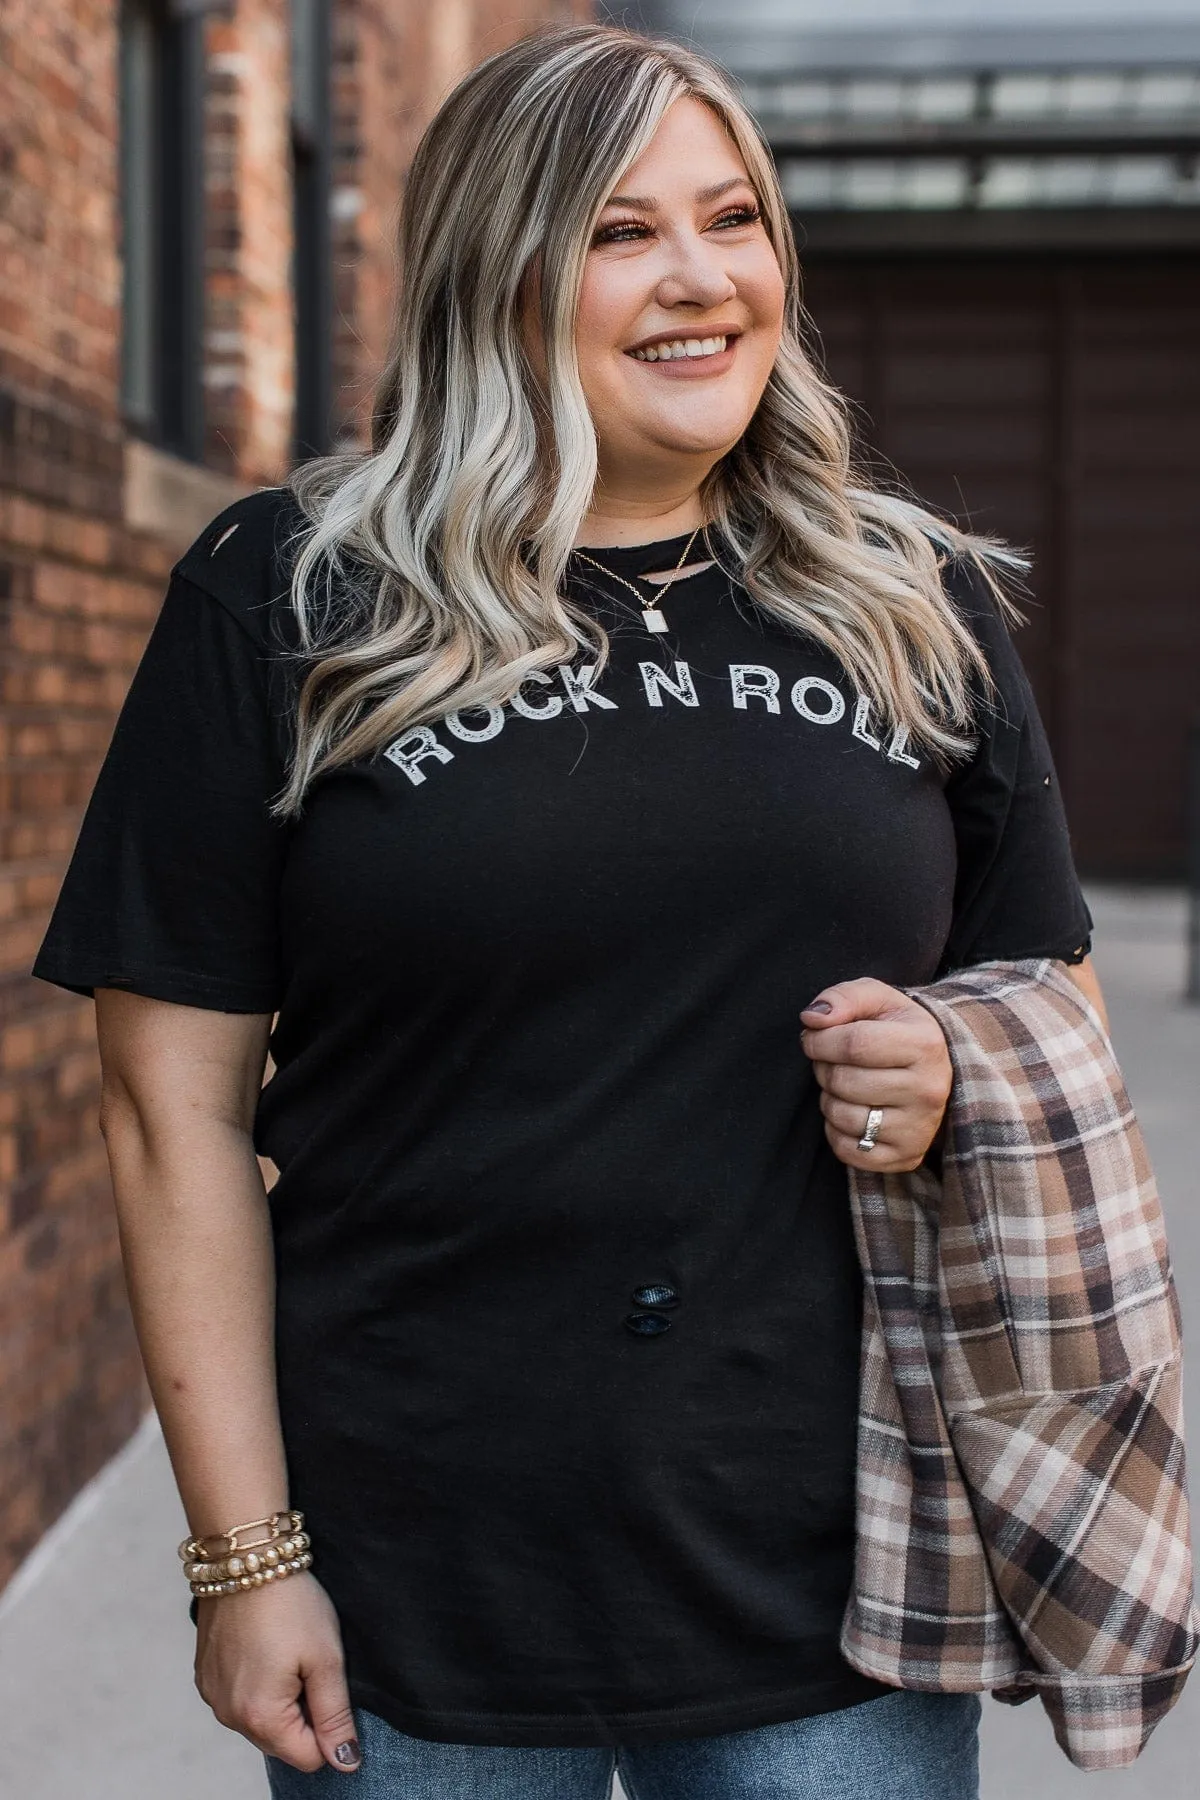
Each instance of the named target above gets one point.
<point>91,523</point>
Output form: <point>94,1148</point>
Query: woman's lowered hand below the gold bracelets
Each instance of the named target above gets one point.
<point>271,1666</point>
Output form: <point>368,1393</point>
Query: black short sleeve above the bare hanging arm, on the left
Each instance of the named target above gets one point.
<point>174,883</point>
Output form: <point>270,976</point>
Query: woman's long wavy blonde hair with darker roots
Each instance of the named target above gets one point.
<point>429,575</point>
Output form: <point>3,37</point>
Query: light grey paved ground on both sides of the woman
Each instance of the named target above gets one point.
<point>96,1687</point>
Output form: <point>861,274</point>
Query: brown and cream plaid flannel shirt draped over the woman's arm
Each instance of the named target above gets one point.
<point>1023,1502</point>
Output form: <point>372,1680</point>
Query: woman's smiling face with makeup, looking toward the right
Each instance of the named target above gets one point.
<point>681,307</point>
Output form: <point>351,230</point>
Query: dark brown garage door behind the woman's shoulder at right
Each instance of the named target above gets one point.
<point>1057,402</point>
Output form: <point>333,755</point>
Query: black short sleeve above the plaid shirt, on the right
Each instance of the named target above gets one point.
<point>1017,892</point>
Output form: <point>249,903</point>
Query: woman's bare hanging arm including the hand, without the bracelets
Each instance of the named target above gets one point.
<point>179,1095</point>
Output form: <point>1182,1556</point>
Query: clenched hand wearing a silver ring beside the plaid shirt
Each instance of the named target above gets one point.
<point>877,1048</point>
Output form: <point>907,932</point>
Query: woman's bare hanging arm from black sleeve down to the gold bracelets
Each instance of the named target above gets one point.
<point>177,1111</point>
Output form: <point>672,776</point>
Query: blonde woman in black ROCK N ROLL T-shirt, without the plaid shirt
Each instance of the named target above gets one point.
<point>560,793</point>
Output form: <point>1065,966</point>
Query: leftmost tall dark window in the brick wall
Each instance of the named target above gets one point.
<point>163,224</point>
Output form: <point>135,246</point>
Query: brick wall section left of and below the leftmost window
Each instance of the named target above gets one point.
<point>78,593</point>
